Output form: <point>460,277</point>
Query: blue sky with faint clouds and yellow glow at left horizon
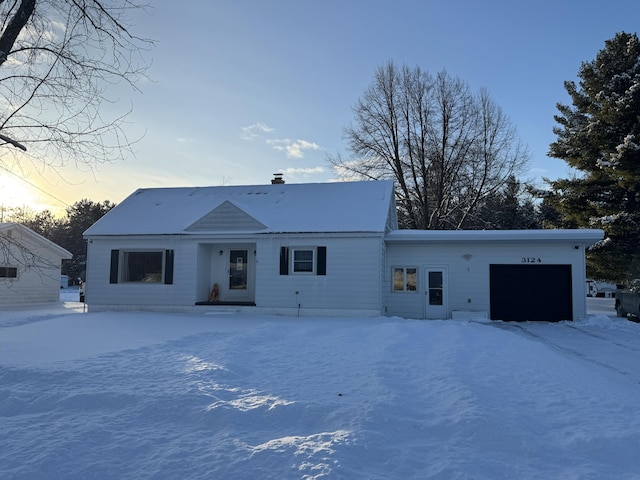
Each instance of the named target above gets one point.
<point>241,89</point>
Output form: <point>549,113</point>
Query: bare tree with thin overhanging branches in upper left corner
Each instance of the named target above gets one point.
<point>57,60</point>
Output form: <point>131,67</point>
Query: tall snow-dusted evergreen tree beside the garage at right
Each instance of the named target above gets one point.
<point>599,136</point>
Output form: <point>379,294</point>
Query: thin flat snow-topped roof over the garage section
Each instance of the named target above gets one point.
<point>588,236</point>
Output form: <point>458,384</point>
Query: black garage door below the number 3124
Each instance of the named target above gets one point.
<point>531,292</point>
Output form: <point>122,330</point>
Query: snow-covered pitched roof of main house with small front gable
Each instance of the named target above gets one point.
<point>279,208</point>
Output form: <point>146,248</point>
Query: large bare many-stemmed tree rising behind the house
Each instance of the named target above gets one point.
<point>446,148</point>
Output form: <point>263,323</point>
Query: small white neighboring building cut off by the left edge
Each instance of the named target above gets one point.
<point>29,266</point>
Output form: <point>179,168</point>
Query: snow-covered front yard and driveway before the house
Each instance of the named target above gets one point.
<point>164,396</point>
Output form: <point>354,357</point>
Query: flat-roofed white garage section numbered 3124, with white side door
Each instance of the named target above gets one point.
<point>509,275</point>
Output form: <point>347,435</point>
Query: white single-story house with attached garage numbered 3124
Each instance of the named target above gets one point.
<point>323,249</point>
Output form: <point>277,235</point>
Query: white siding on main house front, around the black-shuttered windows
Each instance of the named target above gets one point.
<point>352,282</point>
